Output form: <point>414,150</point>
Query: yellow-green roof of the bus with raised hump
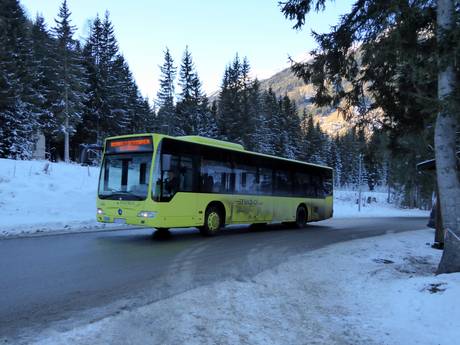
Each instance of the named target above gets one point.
<point>215,143</point>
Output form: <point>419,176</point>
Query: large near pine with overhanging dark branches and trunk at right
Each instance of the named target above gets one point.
<point>405,66</point>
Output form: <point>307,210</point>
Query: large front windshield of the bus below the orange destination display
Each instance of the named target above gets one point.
<point>125,176</point>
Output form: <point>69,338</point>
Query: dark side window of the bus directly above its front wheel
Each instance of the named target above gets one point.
<point>216,177</point>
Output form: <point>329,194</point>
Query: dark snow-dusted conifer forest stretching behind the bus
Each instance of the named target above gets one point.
<point>52,83</point>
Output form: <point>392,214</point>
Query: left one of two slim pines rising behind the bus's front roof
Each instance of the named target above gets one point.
<point>165,96</point>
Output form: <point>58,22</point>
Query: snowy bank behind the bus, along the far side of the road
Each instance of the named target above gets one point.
<point>63,198</point>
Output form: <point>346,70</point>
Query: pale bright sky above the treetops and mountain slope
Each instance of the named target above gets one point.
<point>213,30</point>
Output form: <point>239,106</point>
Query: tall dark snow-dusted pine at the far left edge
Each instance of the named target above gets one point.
<point>18,100</point>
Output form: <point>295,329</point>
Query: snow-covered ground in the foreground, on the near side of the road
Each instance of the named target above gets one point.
<point>380,290</point>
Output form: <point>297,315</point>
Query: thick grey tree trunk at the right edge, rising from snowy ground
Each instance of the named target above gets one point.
<point>446,158</point>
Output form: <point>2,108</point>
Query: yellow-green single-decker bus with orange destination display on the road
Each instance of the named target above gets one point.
<point>165,182</point>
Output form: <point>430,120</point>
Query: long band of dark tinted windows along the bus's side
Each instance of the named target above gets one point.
<point>200,168</point>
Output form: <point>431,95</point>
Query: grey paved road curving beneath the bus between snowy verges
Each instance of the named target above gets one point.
<point>59,280</point>
